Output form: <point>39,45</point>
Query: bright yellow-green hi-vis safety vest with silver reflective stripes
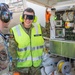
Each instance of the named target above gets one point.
<point>30,48</point>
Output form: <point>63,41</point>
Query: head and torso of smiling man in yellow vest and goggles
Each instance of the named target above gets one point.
<point>29,44</point>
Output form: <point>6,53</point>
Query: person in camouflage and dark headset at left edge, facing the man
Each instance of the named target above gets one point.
<point>5,17</point>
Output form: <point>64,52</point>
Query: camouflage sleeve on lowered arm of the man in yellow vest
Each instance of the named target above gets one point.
<point>12,51</point>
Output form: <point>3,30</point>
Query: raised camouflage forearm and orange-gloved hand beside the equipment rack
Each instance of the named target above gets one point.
<point>47,17</point>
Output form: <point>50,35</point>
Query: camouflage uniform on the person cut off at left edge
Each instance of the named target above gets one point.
<point>4,60</point>
